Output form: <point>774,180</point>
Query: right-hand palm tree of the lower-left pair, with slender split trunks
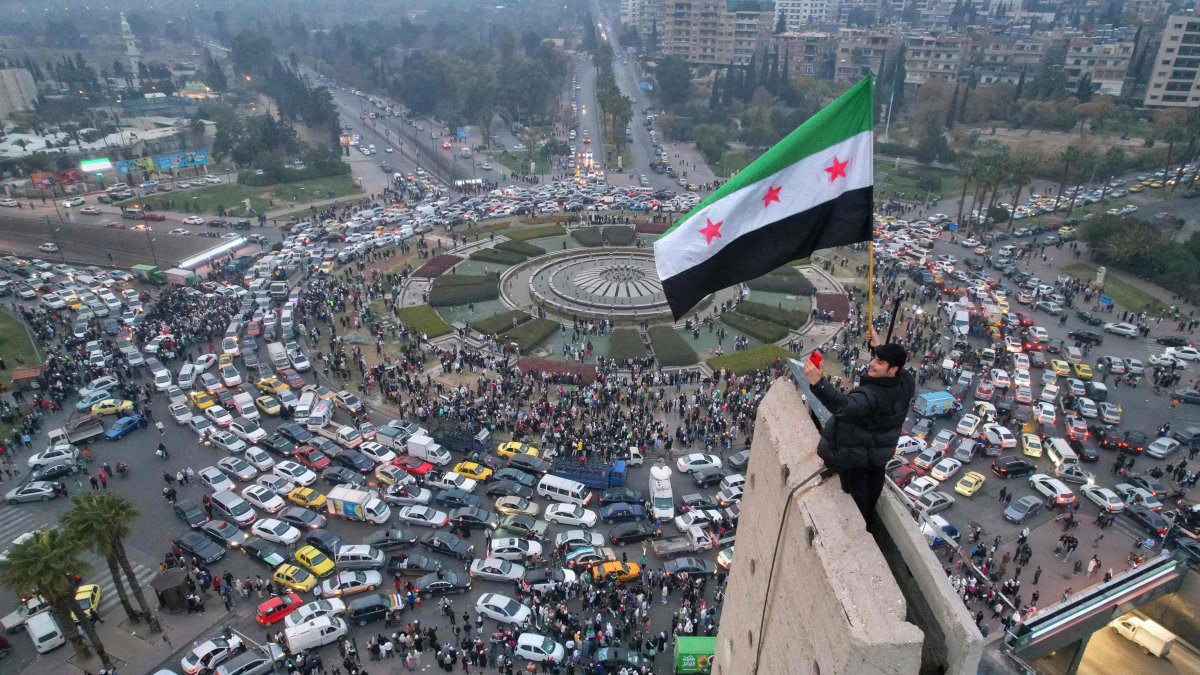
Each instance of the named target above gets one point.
<point>103,522</point>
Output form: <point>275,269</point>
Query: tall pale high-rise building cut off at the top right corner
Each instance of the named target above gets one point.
<point>1175,77</point>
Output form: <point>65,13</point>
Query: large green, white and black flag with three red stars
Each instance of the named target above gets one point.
<point>812,192</point>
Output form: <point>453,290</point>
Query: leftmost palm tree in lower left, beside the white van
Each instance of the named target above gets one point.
<point>49,565</point>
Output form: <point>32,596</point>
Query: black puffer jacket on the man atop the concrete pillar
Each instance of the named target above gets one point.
<point>866,425</point>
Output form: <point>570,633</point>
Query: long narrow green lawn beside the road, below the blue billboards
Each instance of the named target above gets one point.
<point>231,196</point>
